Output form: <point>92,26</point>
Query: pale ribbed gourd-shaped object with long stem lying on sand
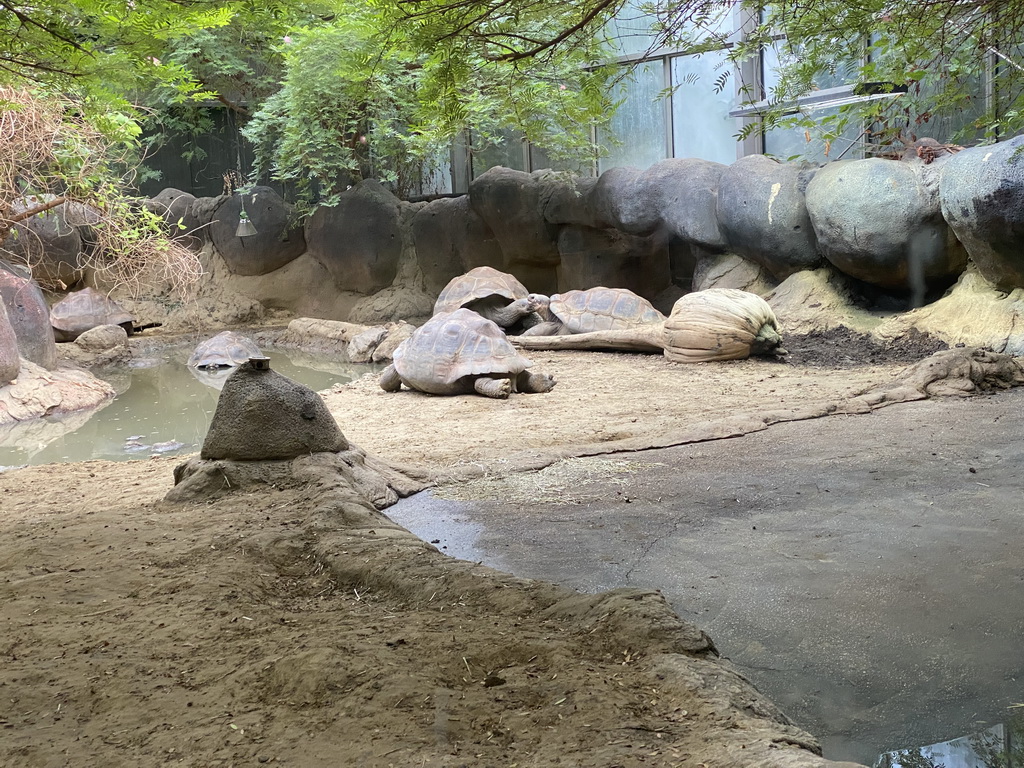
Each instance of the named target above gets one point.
<point>719,324</point>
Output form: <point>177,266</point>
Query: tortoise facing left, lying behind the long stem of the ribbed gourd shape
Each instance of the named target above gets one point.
<point>593,310</point>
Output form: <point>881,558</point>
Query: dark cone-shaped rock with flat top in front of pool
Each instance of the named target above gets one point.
<point>263,415</point>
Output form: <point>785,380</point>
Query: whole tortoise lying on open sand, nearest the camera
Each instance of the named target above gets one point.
<point>462,353</point>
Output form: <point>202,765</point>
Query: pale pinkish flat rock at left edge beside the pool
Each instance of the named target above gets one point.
<point>38,393</point>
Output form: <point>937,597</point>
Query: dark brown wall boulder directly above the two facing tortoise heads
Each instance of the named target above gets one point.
<point>509,203</point>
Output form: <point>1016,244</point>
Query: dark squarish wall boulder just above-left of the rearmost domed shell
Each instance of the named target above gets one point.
<point>451,239</point>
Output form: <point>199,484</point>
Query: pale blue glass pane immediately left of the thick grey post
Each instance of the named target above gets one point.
<point>705,93</point>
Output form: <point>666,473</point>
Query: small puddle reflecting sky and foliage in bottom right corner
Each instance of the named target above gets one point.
<point>999,747</point>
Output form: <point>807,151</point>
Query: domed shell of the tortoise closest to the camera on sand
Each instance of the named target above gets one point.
<point>452,349</point>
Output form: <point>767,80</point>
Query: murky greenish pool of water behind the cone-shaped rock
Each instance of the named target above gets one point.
<point>162,408</point>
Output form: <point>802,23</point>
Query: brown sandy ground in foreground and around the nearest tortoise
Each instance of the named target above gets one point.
<point>297,626</point>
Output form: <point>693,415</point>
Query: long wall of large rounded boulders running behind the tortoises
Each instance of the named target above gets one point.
<point>890,233</point>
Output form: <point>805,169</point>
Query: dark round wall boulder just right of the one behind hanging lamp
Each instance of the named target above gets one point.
<point>360,241</point>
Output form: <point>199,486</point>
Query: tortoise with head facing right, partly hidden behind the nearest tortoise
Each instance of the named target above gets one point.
<point>492,294</point>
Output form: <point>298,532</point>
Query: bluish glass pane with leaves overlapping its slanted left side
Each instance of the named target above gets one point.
<point>641,123</point>
